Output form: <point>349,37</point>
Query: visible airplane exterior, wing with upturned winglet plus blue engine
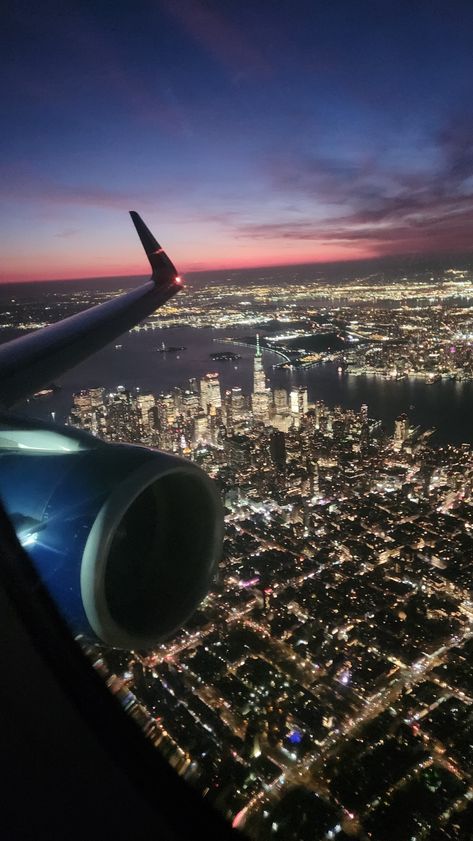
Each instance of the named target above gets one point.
<point>126,538</point>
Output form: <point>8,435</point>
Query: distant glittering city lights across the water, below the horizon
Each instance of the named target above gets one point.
<point>420,326</point>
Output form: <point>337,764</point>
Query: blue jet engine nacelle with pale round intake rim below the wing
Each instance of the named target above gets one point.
<point>127,539</point>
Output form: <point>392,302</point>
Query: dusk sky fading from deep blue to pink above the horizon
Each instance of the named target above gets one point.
<point>246,133</point>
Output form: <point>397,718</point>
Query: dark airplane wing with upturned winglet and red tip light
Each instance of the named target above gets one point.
<point>33,361</point>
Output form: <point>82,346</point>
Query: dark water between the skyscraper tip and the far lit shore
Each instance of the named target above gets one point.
<point>446,405</point>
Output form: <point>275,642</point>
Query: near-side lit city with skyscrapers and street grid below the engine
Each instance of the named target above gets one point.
<point>325,684</point>
